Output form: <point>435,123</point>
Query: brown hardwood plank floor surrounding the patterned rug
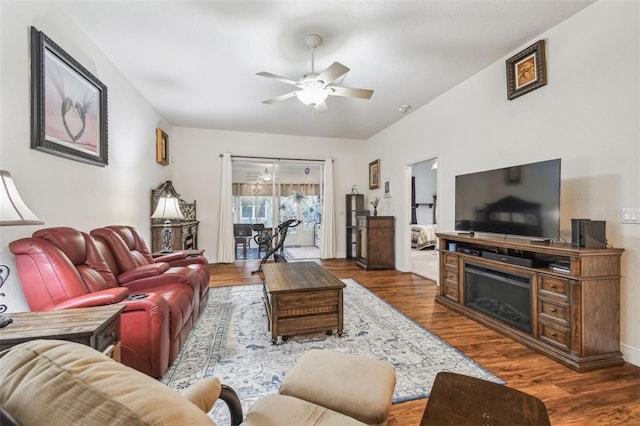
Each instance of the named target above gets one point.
<point>608,396</point>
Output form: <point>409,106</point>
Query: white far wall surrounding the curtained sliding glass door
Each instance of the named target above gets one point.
<point>197,171</point>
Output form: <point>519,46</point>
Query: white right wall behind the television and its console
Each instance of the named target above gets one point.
<point>587,115</point>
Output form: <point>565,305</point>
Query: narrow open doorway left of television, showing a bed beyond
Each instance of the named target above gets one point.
<point>424,219</point>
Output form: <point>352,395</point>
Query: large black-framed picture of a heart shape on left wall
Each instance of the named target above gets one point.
<point>68,105</point>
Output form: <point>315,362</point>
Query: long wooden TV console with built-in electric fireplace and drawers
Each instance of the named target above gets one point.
<point>574,314</point>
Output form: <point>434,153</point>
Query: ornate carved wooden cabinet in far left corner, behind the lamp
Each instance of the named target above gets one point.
<point>184,233</point>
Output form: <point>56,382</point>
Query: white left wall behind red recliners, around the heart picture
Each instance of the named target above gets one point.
<point>60,191</point>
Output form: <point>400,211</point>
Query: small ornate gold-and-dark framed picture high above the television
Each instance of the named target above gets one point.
<point>526,70</point>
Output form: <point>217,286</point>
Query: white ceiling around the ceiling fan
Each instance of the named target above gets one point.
<point>196,61</point>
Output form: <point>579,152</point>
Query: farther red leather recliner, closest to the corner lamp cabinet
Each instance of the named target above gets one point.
<point>130,251</point>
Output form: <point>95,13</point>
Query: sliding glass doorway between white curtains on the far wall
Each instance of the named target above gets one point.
<point>272,192</point>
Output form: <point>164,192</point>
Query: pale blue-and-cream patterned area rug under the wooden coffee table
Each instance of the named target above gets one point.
<point>231,341</point>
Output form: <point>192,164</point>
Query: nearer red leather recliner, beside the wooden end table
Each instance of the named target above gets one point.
<point>62,268</point>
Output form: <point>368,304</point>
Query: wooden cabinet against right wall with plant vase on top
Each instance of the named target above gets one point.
<point>375,244</point>
